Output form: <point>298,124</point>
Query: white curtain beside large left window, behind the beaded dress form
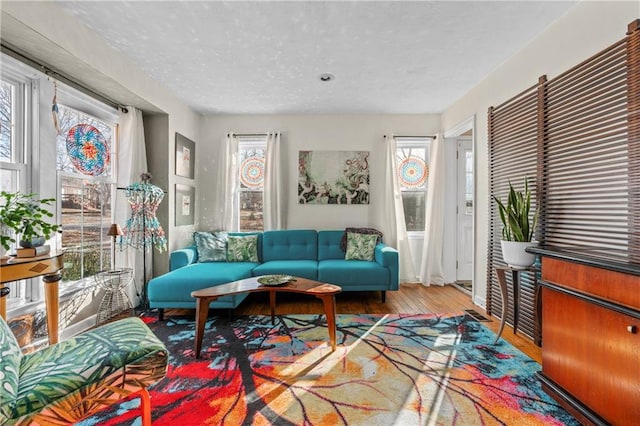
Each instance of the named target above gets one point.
<point>132,162</point>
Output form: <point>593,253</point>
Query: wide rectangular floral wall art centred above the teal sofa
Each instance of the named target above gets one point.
<point>333,177</point>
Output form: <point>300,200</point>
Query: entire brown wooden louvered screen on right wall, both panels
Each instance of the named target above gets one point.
<point>578,137</point>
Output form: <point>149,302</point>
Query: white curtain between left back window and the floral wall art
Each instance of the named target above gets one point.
<point>273,187</point>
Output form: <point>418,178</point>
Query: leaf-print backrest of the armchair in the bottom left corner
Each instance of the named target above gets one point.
<point>10,355</point>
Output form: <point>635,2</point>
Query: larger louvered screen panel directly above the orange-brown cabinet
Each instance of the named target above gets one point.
<point>584,183</point>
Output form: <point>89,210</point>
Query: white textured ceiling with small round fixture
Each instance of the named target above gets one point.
<point>265,57</point>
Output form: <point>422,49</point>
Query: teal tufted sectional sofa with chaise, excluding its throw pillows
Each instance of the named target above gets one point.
<point>304,253</point>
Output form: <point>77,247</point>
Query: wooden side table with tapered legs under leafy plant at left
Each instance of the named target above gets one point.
<point>48,267</point>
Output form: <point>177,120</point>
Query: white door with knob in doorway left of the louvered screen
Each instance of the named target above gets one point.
<point>464,209</point>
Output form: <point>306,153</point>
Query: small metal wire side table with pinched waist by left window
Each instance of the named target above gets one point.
<point>115,300</point>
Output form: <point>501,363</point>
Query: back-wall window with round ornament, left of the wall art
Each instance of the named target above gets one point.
<point>251,170</point>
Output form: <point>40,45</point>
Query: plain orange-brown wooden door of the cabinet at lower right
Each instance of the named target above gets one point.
<point>594,354</point>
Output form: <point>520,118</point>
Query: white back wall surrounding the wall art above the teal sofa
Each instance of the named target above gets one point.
<point>309,132</point>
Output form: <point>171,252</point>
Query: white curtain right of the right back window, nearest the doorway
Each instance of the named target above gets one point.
<point>432,269</point>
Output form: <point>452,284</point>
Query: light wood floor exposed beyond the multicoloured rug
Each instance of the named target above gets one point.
<point>410,299</point>
